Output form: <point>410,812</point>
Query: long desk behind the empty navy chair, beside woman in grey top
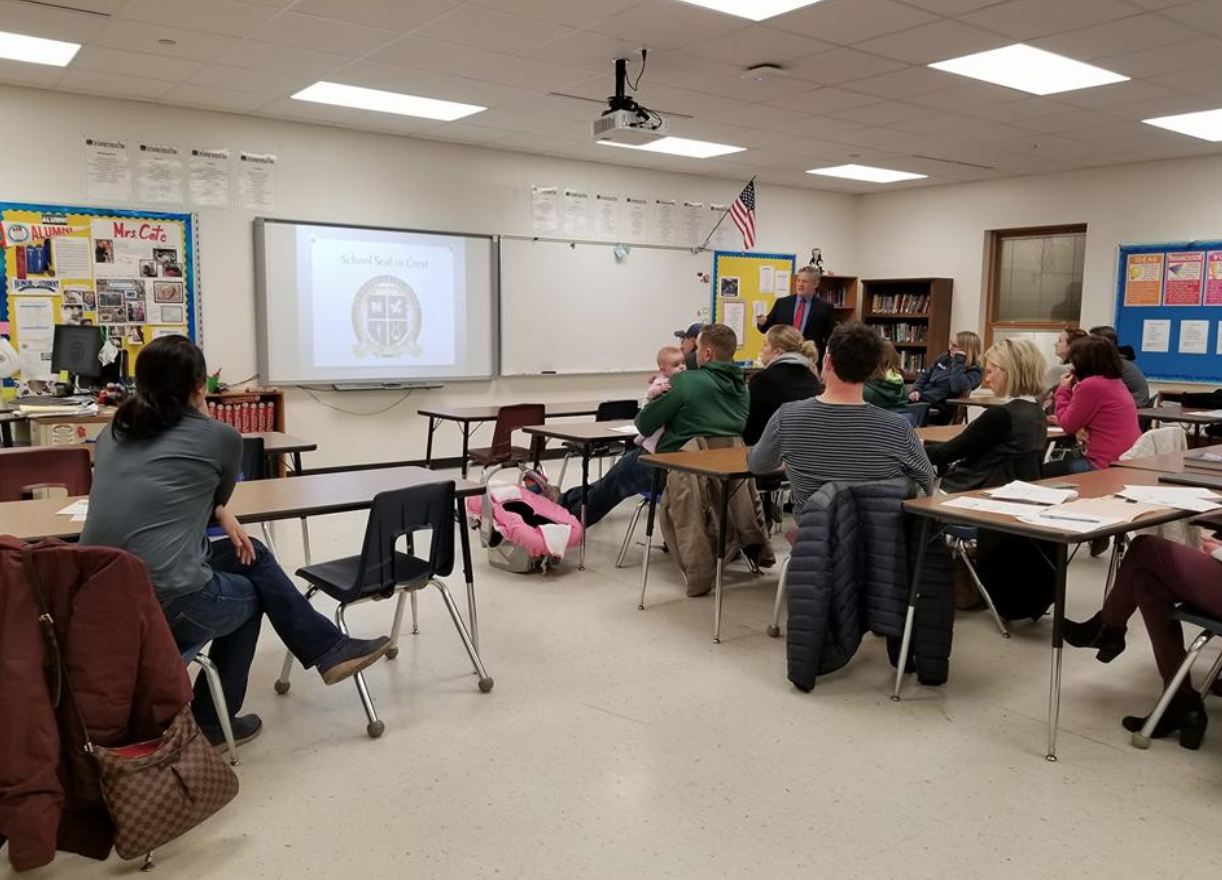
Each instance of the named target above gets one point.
<point>271,500</point>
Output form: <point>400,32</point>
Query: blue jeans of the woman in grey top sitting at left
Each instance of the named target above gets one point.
<point>229,612</point>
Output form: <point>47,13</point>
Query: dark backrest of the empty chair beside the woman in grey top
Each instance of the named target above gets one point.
<point>404,513</point>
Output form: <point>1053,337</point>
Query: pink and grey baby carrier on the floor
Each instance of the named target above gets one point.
<point>524,531</point>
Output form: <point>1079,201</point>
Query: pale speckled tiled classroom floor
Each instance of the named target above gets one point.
<point>623,744</point>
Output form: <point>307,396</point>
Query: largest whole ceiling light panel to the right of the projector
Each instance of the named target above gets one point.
<point>1030,70</point>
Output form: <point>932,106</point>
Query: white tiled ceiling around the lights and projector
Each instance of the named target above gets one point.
<point>857,89</point>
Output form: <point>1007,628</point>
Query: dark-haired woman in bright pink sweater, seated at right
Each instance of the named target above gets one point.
<point>1092,398</point>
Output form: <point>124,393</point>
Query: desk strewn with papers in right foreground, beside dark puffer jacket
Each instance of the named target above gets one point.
<point>1094,485</point>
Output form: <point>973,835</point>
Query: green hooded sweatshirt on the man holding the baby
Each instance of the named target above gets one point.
<point>711,401</point>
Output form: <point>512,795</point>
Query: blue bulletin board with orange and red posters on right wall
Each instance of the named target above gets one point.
<point>1169,307</point>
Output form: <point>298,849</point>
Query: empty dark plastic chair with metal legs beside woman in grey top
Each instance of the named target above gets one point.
<point>381,573</point>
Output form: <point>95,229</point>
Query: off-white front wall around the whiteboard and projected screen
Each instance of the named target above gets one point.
<point>346,177</point>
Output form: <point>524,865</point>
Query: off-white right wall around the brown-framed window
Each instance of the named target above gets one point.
<point>942,232</point>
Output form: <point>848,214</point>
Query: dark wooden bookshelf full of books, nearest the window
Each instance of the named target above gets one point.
<point>915,315</point>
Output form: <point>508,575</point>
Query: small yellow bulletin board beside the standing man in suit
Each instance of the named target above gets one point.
<point>746,285</point>
